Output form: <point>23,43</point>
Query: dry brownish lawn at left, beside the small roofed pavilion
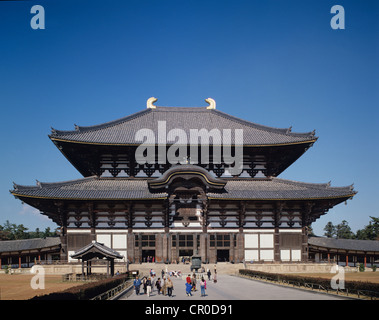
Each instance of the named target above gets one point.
<point>17,286</point>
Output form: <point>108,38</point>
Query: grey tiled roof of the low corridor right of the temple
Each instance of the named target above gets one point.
<point>344,244</point>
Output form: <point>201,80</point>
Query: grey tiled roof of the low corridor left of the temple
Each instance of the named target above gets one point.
<point>28,244</point>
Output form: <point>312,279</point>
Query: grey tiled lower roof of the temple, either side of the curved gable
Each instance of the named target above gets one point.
<point>127,188</point>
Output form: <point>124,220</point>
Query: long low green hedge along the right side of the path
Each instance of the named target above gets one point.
<point>351,286</point>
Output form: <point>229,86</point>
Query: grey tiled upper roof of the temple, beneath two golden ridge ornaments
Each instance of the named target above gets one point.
<point>123,131</point>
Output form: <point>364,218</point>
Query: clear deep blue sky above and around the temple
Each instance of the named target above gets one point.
<point>277,63</point>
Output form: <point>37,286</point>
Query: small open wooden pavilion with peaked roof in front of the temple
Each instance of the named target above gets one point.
<point>96,250</point>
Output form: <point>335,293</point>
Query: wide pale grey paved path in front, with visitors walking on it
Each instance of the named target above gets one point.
<point>235,288</point>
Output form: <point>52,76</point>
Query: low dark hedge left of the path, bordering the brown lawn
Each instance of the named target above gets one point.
<point>85,291</point>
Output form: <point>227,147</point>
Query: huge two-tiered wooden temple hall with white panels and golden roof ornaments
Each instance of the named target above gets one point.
<point>198,203</point>
